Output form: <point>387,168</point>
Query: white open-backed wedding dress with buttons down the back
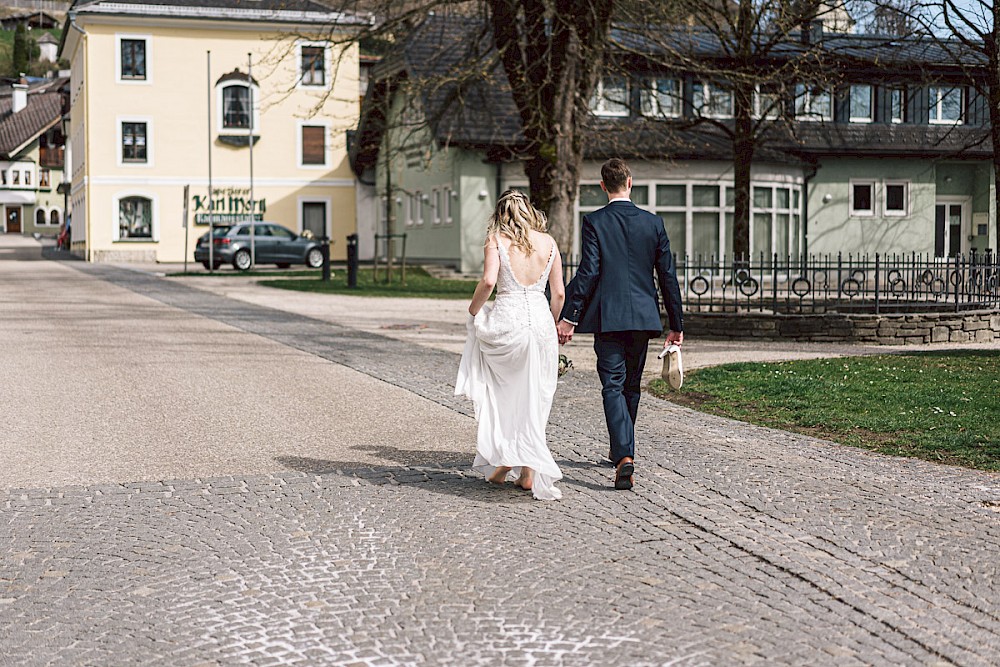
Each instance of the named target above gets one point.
<point>509,369</point>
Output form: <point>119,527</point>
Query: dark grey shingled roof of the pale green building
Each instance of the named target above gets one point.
<point>473,106</point>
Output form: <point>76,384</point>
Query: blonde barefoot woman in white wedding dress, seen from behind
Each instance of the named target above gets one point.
<point>510,364</point>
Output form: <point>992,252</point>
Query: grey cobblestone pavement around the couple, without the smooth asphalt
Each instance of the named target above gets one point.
<point>740,546</point>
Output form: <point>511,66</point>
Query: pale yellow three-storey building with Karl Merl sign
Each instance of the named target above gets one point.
<point>160,98</point>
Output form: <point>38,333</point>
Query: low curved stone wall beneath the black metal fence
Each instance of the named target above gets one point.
<point>894,329</point>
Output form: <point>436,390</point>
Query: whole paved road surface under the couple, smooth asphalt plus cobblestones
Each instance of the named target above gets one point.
<point>162,504</point>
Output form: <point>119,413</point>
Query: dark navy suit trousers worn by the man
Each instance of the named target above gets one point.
<point>621,356</point>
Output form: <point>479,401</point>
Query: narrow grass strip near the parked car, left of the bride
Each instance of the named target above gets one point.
<point>418,284</point>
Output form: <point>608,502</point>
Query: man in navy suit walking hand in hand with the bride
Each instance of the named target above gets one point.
<point>613,296</point>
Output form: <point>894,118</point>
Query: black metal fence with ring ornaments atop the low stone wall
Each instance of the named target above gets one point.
<point>835,283</point>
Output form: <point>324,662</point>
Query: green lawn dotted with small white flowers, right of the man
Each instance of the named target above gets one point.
<point>937,406</point>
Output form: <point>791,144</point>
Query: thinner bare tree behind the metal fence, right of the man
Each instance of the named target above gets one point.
<point>747,56</point>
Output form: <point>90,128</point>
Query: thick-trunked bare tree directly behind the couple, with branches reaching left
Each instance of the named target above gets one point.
<point>549,52</point>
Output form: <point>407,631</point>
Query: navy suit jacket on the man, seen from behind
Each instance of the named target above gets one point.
<point>614,289</point>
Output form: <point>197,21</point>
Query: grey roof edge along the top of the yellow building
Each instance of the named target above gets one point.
<point>285,11</point>
